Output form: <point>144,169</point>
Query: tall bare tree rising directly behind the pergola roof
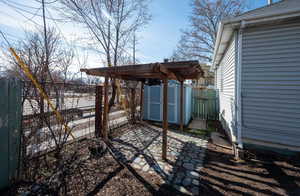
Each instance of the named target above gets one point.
<point>111,24</point>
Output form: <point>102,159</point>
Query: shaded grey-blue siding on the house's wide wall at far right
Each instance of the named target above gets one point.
<point>271,84</point>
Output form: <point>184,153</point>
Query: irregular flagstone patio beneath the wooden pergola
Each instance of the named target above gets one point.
<point>142,146</point>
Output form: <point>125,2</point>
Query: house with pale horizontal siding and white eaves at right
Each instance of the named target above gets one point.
<point>257,74</point>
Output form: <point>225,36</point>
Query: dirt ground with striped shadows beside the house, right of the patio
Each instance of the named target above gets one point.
<point>262,174</point>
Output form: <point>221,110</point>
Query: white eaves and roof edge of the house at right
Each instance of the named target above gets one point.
<point>281,10</point>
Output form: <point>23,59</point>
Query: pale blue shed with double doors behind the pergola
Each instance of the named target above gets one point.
<point>153,106</point>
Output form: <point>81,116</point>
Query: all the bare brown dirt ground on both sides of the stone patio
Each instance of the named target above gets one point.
<point>260,174</point>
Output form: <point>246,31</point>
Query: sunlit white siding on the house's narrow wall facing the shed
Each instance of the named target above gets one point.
<point>226,78</point>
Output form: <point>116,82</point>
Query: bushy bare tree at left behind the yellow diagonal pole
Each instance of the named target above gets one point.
<point>33,53</point>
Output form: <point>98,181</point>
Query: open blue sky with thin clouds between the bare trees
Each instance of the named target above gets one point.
<point>156,41</point>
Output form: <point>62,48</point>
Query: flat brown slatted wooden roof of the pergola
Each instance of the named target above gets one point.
<point>180,70</point>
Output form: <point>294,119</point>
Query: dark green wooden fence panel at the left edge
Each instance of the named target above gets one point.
<point>10,127</point>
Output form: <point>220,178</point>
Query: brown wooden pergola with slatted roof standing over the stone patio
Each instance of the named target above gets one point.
<point>180,71</point>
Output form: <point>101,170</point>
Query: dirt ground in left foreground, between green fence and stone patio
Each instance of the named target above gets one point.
<point>93,175</point>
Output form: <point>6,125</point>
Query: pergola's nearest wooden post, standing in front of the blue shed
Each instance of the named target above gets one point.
<point>165,119</point>
